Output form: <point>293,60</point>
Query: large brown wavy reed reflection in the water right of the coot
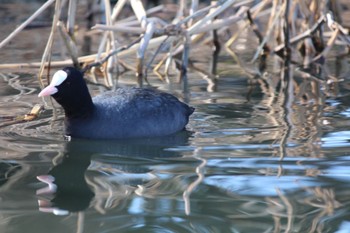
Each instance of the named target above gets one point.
<point>296,103</point>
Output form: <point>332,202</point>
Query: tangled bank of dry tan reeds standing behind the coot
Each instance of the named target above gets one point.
<point>303,33</point>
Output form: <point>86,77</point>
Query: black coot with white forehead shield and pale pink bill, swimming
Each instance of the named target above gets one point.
<point>124,113</point>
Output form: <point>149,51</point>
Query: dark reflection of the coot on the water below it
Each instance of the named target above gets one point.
<point>67,189</point>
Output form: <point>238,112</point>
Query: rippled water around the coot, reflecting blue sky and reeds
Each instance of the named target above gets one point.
<point>249,162</point>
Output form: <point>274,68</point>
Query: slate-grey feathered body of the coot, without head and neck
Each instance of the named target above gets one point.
<point>132,113</point>
